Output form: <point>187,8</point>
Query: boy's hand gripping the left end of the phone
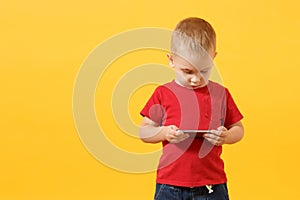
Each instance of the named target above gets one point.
<point>172,134</point>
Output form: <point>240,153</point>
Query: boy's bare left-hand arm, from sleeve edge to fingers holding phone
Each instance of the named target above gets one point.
<point>151,132</point>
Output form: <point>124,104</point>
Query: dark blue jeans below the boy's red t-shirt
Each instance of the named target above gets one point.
<point>169,192</point>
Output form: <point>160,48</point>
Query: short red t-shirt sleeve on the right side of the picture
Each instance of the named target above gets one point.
<point>233,115</point>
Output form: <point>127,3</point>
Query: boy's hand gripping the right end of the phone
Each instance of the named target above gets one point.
<point>217,137</point>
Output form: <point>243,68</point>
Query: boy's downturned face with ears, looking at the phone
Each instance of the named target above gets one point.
<point>189,75</point>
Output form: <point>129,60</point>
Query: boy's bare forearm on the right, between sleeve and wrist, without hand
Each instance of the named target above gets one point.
<point>234,134</point>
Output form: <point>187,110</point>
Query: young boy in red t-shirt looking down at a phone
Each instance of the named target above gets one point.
<point>190,166</point>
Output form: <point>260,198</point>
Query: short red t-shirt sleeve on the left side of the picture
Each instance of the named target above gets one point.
<point>153,108</point>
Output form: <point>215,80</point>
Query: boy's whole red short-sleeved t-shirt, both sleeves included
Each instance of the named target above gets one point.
<point>195,161</point>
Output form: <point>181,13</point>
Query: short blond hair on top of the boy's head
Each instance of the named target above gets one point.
<point>193,35</point>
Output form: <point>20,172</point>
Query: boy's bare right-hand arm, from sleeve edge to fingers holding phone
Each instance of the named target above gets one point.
<point>222,135</point>
